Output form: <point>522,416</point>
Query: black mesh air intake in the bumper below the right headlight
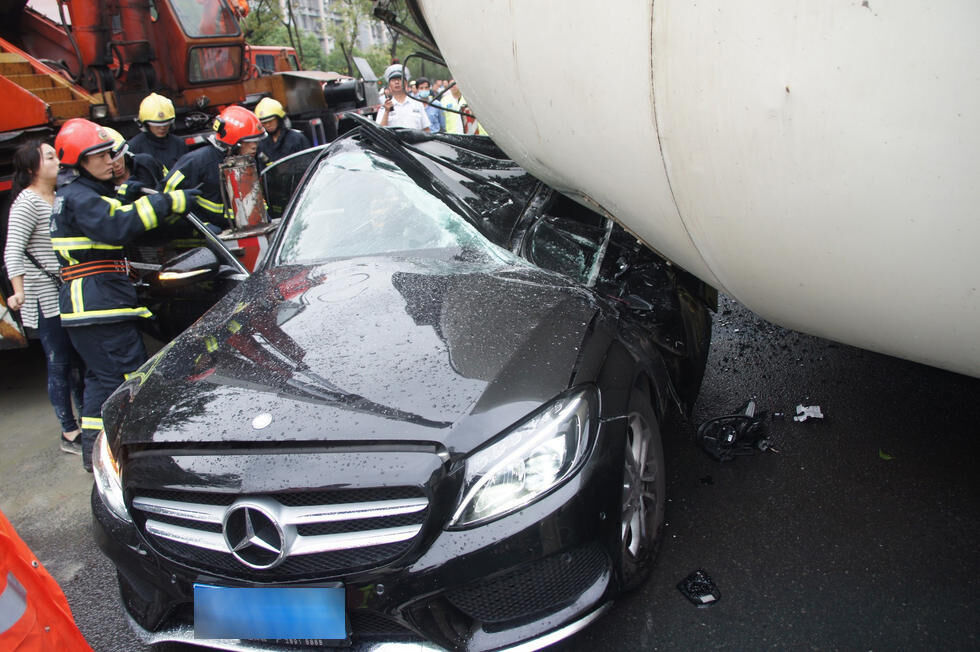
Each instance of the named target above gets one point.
<point>544,586</point>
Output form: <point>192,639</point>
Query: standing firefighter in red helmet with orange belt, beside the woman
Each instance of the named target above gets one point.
<point>89,227</point>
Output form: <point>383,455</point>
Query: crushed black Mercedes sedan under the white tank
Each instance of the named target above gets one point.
<point>431,417</point>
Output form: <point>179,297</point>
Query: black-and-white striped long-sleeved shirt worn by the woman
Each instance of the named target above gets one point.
<point>28,228</point>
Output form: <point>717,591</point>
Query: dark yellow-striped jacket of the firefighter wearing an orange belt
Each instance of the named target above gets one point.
<point>88,223</point>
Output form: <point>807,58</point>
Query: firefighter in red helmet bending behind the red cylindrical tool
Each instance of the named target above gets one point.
<point>236,132</point>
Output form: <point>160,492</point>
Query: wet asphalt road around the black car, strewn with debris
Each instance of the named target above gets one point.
<point>861,532</point>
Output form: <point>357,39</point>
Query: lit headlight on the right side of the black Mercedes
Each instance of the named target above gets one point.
<point>533,458</point>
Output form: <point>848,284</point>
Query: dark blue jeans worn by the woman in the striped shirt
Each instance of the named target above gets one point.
<point>65,370</point>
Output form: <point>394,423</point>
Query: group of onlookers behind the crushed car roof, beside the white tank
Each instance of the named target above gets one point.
<point>430,105</point>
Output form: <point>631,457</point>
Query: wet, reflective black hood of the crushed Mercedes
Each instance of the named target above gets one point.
<point>381,350</point>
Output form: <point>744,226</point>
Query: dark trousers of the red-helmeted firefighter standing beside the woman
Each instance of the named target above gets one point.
<point>110,351</point>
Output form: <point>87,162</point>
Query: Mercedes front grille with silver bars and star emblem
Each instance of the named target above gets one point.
<point>322,533</point>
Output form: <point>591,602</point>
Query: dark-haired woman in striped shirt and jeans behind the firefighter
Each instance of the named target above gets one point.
<point>35,290</point>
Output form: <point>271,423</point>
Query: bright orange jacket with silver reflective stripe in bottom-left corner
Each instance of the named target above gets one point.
<point>34,614</point>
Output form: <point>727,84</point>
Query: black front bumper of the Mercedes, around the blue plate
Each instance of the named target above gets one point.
<point>531,578</point>
